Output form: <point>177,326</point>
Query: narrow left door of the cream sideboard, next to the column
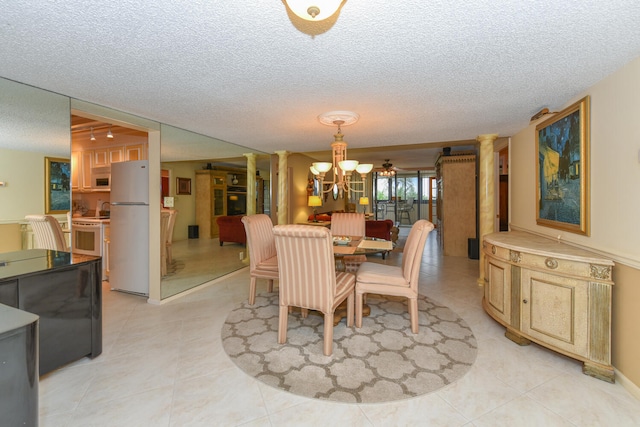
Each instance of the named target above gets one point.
<point>497,292</point>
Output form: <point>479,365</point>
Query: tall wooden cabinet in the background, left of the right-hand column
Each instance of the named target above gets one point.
<point>456,201</point>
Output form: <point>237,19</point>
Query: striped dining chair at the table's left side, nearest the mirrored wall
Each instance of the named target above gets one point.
<point>263,262</point>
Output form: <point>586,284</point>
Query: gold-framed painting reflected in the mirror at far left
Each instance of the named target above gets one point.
<point>57,184</point>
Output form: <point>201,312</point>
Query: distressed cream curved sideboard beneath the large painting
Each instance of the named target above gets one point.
<point>551,293</point>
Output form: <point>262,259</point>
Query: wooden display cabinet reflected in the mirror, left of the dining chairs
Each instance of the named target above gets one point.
<point>211,200</point>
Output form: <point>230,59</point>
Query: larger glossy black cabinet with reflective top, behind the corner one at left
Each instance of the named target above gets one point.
<point>65,291</point>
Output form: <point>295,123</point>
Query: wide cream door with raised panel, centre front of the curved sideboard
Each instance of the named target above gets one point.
<point>555,310</point>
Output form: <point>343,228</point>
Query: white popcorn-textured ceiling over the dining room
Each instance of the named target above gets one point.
<point>416,71</point>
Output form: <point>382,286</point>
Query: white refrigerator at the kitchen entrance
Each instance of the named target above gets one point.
<point>129,246</point>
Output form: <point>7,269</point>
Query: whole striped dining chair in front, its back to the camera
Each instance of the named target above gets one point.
<point>308,278</point>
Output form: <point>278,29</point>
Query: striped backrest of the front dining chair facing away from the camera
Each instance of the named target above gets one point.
<point>306,265</point>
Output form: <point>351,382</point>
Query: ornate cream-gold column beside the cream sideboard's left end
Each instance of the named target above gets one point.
<point>486,202</point>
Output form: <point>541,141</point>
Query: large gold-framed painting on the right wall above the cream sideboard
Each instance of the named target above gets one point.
<point>562,172</point>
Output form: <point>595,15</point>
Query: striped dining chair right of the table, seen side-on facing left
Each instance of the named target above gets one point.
<point>394,280</point>
